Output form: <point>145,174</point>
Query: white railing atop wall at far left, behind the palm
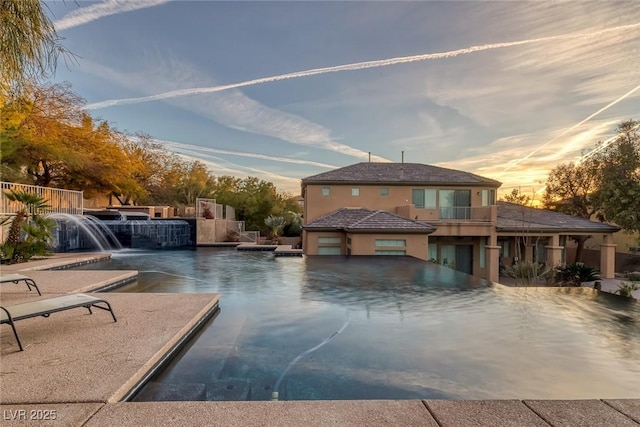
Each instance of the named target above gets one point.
<point>57,200</point>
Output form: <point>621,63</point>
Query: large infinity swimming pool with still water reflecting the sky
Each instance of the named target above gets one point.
<point>387,328</point>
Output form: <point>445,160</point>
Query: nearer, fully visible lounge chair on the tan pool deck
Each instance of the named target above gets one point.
<point>44,307</point>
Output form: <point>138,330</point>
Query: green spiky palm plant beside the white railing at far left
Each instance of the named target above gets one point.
<point>29,232</point>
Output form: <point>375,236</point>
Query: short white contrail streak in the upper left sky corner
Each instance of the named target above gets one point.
<point>84,15</point>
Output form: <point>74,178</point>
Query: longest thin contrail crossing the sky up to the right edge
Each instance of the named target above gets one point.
<point>351,67</point>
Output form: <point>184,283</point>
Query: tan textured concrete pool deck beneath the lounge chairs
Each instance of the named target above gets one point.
<point>77,368</point>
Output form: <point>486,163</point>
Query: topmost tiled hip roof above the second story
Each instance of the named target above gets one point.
<point>400,173</point>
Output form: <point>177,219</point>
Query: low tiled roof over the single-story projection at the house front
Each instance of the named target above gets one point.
<point>361,220</point>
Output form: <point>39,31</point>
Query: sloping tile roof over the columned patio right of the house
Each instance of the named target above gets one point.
<point>513,217</point>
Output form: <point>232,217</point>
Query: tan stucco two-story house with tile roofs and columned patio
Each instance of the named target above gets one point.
<point>450,217</point>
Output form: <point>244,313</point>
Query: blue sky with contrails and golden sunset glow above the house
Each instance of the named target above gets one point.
<point>284,90</point>
